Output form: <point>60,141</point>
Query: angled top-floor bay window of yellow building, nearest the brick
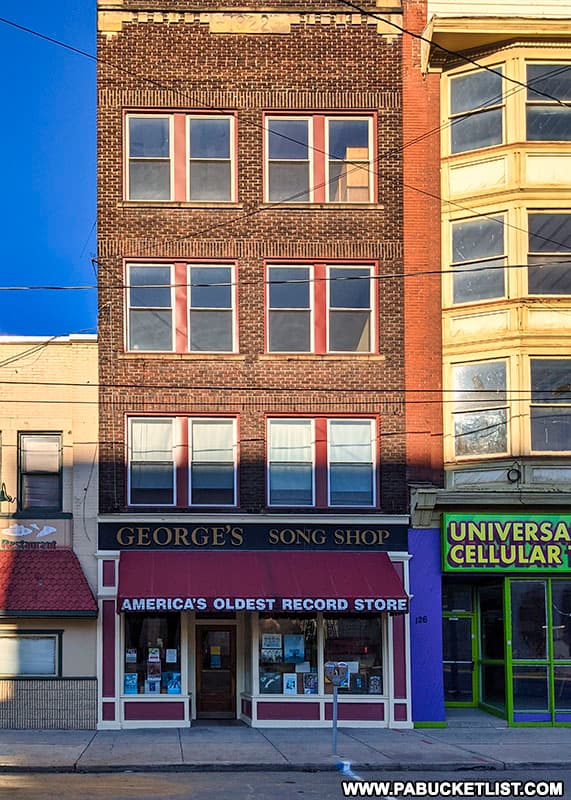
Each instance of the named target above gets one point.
<point>476,110</point>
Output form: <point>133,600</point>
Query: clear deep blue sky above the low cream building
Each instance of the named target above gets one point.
<point>47,138</point>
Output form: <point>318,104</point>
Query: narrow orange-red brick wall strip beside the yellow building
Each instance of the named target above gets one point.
<point>423,341</point>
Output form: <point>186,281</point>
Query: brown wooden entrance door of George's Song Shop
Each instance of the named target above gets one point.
<point>216,672</point>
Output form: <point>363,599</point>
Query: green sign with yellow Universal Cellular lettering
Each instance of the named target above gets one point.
<point>488,543</point>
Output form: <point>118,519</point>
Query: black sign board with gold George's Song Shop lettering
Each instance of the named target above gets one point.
<point>252,536</point>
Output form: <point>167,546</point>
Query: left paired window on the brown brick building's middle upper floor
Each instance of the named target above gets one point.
<point>181,307</point>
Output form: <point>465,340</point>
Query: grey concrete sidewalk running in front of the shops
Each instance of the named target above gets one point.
<point>204,747</point>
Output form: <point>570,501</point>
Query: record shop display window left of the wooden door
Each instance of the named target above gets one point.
<point>151,657</point>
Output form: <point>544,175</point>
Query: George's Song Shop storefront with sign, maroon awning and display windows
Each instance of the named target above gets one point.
<point>219,620</point>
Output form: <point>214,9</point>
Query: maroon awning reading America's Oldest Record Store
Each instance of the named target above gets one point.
<point>259,581</point>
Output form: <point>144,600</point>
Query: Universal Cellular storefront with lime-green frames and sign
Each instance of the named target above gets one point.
<point>506,593</point>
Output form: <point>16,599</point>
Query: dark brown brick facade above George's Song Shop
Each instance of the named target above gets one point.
<point>315,67</point>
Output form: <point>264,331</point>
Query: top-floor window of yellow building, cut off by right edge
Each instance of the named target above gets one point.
<point>548,120</point>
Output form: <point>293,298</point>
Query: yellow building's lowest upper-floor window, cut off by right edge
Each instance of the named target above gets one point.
<point>550,412</point>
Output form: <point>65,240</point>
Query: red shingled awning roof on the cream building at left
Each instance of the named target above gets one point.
<point>44,582</point>
